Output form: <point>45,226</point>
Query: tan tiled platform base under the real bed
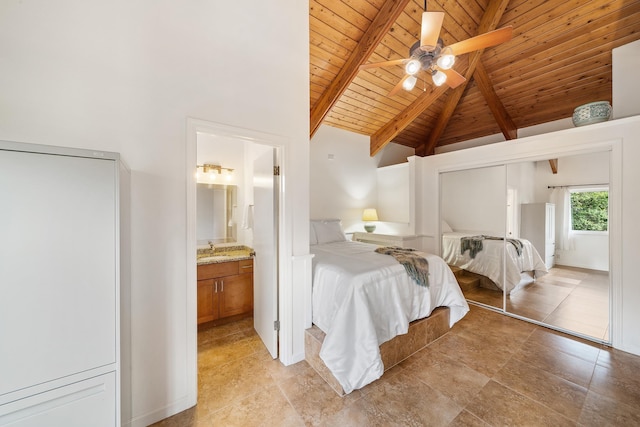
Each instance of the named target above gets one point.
<point>421,333</point>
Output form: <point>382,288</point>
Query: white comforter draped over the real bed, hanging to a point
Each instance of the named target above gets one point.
<point>362,299</point>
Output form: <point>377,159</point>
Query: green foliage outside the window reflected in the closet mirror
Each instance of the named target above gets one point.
<point>590,210</point>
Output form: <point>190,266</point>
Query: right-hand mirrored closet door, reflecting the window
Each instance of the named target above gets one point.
<point>560,206</point>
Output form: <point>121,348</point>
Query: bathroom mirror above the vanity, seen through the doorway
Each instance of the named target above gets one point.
<point>216,210</point>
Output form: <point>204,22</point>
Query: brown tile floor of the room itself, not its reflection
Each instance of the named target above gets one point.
<point>489,370</point>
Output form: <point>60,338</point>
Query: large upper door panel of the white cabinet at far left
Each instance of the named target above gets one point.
<point>58,266</point>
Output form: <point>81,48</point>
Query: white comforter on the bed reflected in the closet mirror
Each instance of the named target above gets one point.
<point>489,260</point>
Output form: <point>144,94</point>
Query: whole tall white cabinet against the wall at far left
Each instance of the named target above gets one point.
<point>59,287</point>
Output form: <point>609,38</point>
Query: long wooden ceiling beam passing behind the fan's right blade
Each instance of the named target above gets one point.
<point>490,20</point>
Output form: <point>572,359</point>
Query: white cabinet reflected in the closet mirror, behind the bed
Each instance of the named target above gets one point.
<point>537,224</point>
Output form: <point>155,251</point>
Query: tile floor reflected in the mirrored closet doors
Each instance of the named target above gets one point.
<point>571,298</point>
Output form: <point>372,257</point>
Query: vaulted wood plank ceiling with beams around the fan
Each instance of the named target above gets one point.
<point>559,58</point>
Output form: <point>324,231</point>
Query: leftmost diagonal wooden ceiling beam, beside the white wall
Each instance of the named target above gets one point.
<point>384,20</point>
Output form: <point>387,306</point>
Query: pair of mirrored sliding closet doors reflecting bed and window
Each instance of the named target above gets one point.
<point>531,239</point>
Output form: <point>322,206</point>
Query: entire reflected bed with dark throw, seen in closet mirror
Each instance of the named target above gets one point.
<point>484,256</point>
